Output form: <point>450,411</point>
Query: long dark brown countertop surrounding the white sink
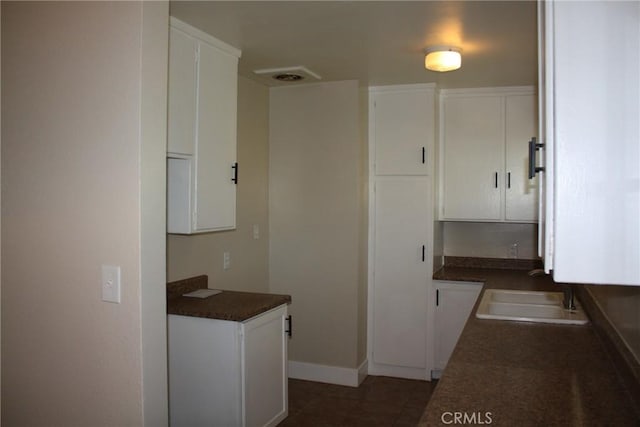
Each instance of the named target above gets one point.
<point>527,374</point>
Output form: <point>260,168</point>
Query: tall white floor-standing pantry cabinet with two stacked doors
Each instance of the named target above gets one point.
<point>401,138</point>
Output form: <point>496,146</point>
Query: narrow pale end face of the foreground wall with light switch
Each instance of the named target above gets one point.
<point>153,190</point>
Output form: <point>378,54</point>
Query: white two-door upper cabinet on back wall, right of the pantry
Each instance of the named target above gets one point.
<point>483,155</point>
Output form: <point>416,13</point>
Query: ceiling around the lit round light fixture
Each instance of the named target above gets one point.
<point>377,43</point>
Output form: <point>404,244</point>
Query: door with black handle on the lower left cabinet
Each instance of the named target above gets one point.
<point>265,369</point>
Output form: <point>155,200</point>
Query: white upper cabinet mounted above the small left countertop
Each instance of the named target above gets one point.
<point>202,171</point>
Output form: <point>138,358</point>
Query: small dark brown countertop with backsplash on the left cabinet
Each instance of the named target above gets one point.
<point>228,305</point>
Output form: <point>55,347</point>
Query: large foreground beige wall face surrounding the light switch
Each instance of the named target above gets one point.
<point>71,202</point>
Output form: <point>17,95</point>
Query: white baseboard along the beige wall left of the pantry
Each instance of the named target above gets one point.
<point>352,377</point>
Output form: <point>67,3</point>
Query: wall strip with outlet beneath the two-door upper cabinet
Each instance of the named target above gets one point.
<point>490,240</point>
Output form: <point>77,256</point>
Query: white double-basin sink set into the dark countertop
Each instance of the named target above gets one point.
<point>528,306</point>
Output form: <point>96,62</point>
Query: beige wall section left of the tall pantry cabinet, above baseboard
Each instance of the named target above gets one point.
<point>316,217</point>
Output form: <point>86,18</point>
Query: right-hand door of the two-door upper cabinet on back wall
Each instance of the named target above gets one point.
<point>521,193</point>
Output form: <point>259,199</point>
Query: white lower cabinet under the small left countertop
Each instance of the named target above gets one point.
<point>225,373</point>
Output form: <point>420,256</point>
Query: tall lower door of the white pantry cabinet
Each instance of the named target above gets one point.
<point>401,271</point>
